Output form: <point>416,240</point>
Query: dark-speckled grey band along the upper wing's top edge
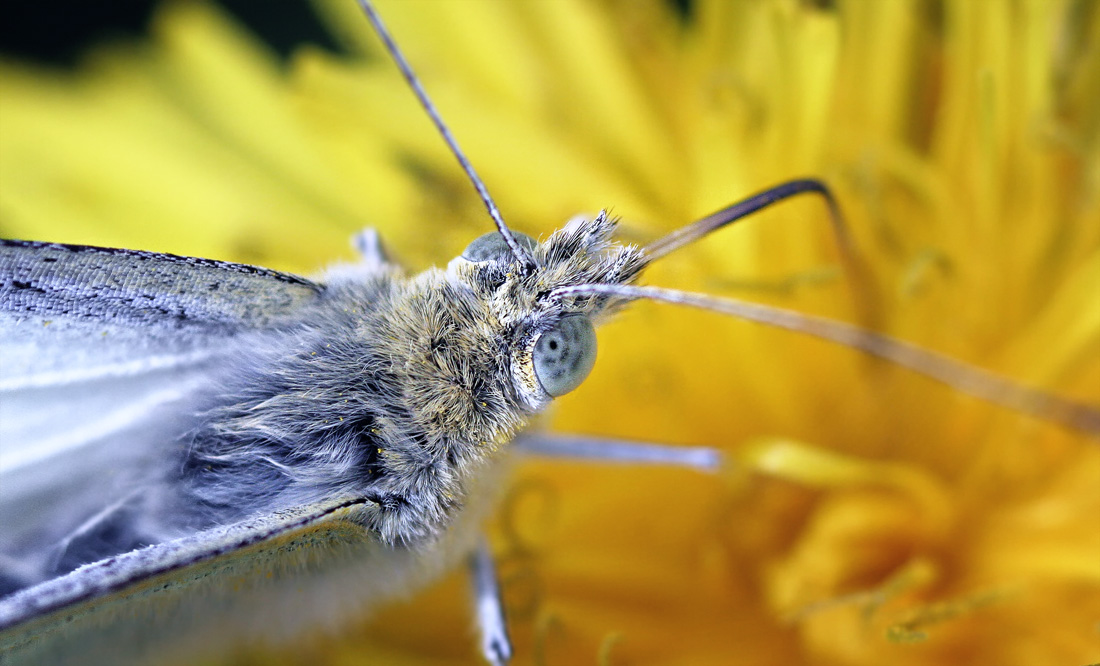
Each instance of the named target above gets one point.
<point>133,288</point>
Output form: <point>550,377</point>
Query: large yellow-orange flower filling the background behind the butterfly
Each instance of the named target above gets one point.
<point>873,517</point>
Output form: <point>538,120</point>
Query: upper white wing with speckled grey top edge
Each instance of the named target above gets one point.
<point>94,345</point>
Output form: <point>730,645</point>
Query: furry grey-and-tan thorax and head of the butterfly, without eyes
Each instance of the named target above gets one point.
<point>394,389</point>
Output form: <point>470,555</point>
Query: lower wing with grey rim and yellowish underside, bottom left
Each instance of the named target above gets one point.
<point>156,598</point>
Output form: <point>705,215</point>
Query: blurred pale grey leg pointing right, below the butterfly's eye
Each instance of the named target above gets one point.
<point>626,452</point>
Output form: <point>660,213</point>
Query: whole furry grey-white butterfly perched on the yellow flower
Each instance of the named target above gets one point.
<point>214,333</point>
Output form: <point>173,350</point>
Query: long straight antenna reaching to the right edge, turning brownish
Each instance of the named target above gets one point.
<point>963,377</point>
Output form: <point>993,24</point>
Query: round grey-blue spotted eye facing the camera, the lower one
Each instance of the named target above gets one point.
<point>565,355</point>
